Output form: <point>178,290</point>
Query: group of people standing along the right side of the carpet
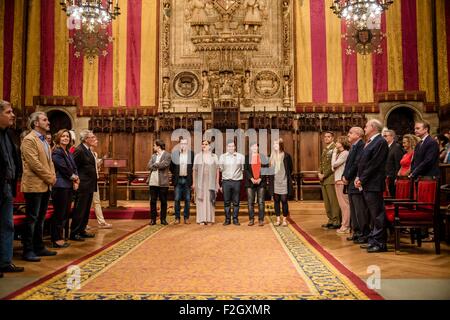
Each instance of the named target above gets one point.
<point>354,174</point>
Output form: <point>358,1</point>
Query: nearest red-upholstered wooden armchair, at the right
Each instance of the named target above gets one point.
<point>423,212</point>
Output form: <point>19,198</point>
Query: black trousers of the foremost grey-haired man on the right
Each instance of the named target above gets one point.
<point>375,206</point>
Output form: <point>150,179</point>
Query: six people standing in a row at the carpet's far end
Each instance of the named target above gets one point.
<point>206,174</point>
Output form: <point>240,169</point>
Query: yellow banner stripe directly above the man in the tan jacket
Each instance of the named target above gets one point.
<point>33,52</point>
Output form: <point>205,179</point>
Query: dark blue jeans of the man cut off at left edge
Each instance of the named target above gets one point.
<point>6,226</point>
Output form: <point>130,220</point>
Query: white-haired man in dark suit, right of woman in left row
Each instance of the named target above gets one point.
<point>85,161</point>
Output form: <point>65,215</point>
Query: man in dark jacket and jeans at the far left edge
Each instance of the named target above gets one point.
<point>10,167</point>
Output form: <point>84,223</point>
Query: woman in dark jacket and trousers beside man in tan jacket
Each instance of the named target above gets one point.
<point>67,181</point>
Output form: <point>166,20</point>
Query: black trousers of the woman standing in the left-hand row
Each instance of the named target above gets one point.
<point>62,202</point>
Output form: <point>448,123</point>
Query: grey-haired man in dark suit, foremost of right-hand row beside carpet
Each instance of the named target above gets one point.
<point>371,181</point>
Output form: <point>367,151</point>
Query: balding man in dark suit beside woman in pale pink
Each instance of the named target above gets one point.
<point>359,215</point>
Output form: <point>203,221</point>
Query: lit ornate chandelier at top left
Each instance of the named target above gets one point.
<point>90,14</point>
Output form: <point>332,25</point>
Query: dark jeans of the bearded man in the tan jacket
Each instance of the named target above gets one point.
<point>36,208</point>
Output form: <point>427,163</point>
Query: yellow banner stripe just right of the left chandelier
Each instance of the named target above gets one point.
<point>120,56</point>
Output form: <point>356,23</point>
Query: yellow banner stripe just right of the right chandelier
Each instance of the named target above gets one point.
<point>394,46</point>
